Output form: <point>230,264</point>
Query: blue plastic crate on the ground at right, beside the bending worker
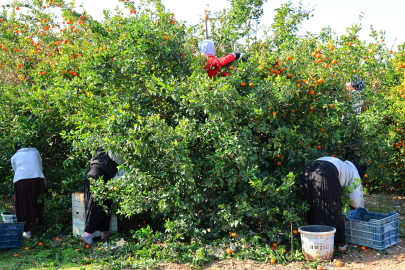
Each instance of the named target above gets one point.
<point>372,230</point>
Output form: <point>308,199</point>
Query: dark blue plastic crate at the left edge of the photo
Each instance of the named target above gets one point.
<point>11,235</point>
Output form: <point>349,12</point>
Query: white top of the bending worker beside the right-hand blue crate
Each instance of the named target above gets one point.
<point>347,173</point>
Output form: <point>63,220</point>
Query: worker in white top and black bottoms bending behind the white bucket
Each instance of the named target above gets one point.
<point>321,186</point>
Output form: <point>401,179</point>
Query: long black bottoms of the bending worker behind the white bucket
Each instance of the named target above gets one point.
<point>320,187</point>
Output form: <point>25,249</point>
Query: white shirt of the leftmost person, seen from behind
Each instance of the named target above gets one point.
<point>27,163</point>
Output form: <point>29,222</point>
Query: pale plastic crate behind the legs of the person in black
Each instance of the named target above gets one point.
<point>79,217</point>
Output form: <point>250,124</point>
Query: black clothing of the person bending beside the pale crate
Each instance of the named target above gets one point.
<point>96,218</point>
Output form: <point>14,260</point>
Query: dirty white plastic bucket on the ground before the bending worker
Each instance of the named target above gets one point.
<point>317,242</point>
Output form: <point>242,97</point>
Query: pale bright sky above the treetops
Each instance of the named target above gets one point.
<point>385,15</point>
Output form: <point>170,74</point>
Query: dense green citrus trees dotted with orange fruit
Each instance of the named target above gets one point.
<point>223,154</point>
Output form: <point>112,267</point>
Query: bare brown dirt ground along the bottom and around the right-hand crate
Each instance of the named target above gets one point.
<point>393,258</point>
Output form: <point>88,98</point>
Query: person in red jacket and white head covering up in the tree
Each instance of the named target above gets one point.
<point>212,64</point>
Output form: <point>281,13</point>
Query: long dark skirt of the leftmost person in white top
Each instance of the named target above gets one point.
<point>26,194</point>
